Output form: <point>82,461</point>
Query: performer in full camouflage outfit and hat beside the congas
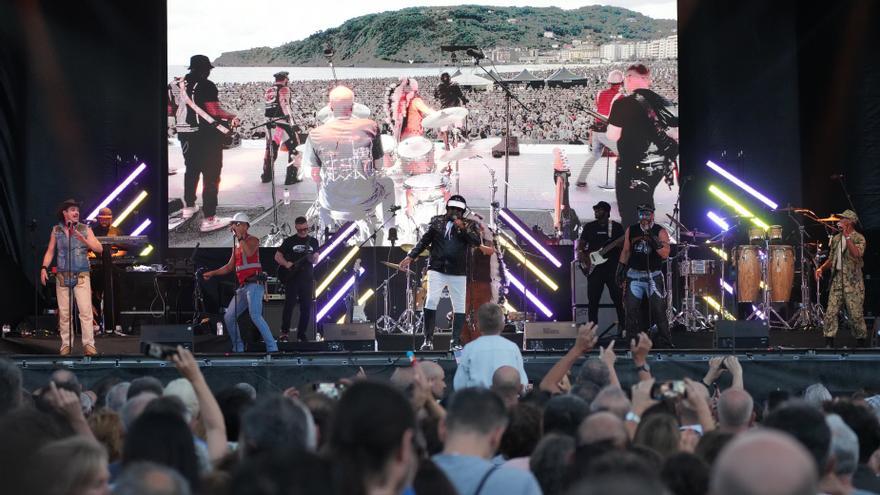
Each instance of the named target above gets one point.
<point>847,284</point>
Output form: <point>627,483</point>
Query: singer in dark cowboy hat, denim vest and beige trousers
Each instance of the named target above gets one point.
<point>70,242</point>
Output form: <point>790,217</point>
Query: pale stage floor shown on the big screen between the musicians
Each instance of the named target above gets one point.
<point>531,192</point>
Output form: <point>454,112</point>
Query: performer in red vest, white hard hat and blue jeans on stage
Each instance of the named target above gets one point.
<point>245,262</point>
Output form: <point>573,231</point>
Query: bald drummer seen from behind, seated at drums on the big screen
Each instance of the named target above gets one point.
<point>345,154</point>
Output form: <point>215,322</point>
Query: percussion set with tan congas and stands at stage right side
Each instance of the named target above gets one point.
<point>764,279</point>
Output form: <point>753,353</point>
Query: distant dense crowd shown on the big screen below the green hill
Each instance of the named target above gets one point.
<point>556,113</point>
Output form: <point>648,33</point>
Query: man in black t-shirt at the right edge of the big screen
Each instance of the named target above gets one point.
<point>646,133</point>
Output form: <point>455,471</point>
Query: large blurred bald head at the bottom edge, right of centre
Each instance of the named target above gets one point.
<point>764,462</point>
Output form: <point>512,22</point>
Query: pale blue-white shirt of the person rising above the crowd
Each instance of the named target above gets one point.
<point>480,359</point>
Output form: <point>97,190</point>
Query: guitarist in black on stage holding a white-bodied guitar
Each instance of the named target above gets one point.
<point>603,235</point>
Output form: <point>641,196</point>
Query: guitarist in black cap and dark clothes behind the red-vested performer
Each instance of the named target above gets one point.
<point>295,258</point>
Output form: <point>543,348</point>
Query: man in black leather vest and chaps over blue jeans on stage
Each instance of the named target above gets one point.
<point>645,247</point>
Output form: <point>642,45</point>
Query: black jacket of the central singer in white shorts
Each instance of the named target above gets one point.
<point>448,254</point>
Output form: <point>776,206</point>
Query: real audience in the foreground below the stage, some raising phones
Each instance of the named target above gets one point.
<point>579,430</point>
